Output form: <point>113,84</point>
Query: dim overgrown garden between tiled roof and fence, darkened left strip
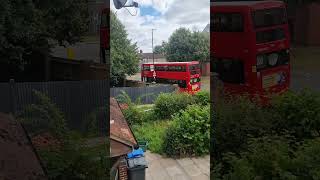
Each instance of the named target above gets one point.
<point>66,153</point>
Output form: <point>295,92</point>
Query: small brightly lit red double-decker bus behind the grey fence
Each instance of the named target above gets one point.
<point>185,74</point>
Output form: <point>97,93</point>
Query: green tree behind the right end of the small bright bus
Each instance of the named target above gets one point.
<point>185,45</point>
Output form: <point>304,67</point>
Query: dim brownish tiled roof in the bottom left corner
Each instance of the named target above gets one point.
<point>18,158</point>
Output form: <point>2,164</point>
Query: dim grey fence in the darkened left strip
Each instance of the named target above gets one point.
<point>76,99</point>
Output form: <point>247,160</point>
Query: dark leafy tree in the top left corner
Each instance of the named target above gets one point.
<point>29,27</point>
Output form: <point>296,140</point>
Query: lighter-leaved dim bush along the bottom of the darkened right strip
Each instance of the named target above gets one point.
<point>273,158</point>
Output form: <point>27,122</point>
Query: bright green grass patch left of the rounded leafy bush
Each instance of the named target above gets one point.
<point>153,132</point>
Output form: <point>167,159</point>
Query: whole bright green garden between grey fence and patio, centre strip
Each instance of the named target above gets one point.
<point>176,125</point>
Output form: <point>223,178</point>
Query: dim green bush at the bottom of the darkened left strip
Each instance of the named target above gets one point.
<point>74,162</point>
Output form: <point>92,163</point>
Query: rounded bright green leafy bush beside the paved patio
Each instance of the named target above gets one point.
<point>189,133</point>
